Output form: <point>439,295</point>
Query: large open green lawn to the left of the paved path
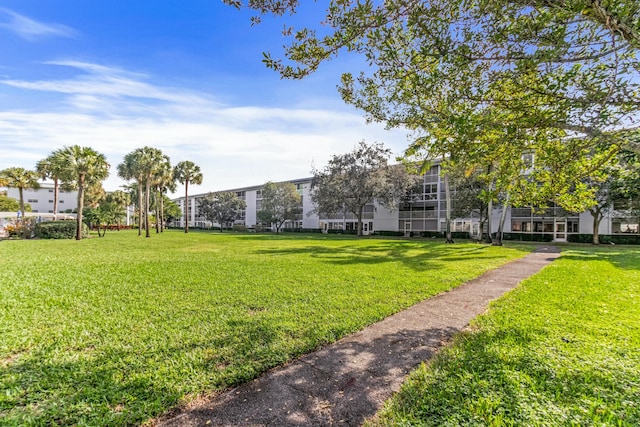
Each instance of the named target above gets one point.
<point>118,330</point>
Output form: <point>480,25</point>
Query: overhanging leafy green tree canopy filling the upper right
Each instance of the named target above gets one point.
<point>461,71</point>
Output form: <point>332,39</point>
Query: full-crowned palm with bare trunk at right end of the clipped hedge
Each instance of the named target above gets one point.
<point>83,166</point>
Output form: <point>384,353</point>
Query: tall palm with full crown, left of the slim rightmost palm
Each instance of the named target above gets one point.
<point>142,164</point>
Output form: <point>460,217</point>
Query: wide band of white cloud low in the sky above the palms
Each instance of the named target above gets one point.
<point>115,111</point>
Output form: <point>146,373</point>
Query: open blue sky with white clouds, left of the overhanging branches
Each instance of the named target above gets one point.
<point>183,76</point>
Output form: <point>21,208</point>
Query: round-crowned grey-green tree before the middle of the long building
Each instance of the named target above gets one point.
<point>352,180</point>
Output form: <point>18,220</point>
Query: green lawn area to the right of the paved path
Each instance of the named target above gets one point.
<point>562,349</point>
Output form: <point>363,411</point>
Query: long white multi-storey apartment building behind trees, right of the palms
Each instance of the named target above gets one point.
<point>424,213</point>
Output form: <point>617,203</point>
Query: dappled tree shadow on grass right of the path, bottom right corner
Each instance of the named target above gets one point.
<point>483,382</point>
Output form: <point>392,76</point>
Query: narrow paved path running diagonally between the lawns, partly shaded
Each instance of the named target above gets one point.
<point>348,381</point>
